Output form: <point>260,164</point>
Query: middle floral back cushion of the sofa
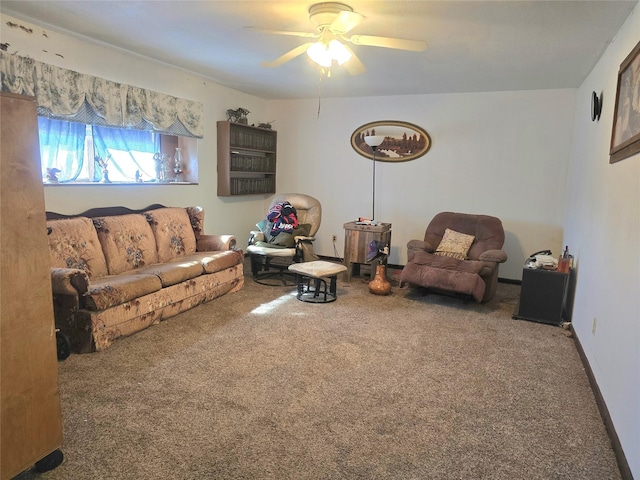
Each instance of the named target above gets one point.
<point>127,242</point>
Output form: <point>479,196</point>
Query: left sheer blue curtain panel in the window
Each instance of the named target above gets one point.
<point>61,148</point>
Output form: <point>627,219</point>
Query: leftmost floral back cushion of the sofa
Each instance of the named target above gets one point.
<point>73,243</point>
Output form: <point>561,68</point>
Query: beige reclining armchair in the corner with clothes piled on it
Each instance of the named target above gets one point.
<point>271,256</point>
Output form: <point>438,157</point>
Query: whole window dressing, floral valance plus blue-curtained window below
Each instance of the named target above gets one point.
<point>96,130</point>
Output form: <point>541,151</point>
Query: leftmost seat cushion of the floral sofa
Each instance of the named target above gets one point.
<point>111,290</point>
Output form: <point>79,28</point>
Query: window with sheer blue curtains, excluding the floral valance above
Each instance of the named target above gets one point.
<point>77,153</point>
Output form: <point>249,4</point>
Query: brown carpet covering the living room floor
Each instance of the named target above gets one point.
<point>258,385</point>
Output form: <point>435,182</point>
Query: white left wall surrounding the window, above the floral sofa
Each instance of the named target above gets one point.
<point>222,215</point>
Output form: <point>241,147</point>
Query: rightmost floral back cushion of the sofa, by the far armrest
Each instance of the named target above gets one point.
<point>173,233</point>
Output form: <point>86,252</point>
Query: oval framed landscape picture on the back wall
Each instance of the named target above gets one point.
<point>403,141</point>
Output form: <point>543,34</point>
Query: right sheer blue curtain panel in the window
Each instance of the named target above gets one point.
<point>105,138</point>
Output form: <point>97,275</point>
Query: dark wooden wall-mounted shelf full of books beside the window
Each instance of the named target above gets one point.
<point>246,159</point>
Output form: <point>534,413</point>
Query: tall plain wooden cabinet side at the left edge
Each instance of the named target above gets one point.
<point>30,423</point>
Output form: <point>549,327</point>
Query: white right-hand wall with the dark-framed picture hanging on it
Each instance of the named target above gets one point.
<point>602,225</point>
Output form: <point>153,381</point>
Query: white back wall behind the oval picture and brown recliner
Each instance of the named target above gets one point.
<point>502,154</point>
